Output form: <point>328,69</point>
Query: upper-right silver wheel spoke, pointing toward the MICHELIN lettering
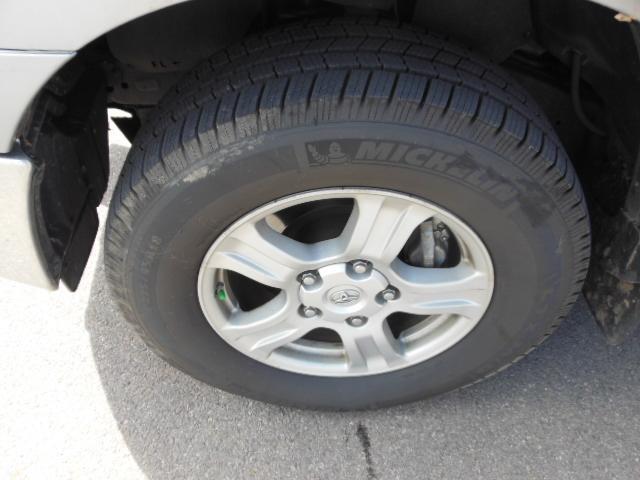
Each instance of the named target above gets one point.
<point>379,226</point>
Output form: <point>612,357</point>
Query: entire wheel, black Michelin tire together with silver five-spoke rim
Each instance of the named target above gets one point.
<point>346,215</point>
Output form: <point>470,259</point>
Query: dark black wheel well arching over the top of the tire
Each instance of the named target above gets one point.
<point>540,42</point>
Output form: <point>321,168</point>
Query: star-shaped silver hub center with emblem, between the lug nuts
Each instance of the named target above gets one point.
<point>342,292</point>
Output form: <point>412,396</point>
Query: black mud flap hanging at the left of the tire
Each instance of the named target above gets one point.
<point>65,134</point>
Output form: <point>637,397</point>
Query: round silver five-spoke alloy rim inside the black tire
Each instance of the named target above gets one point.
<point>347,305</point>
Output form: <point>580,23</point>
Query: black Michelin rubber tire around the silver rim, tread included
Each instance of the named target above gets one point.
<point>235,135</point>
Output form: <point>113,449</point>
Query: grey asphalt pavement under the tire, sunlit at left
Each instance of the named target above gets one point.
<point>82,397</point>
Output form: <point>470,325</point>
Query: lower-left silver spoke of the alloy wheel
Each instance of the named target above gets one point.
<point>268,327</point>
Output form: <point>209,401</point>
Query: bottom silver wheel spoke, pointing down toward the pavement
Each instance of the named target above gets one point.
<point>373,349</point>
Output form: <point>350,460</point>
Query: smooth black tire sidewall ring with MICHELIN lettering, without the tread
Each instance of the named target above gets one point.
<point>518,221</point>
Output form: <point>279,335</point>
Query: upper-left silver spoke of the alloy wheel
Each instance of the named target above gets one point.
<point>257,251</point>
